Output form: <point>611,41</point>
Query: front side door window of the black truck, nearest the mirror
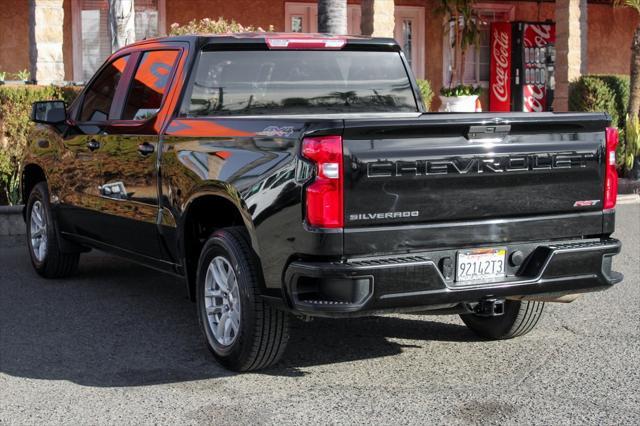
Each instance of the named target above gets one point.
<point>99,95</point>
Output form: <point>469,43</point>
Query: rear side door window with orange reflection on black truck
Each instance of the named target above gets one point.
<point>149,84</point>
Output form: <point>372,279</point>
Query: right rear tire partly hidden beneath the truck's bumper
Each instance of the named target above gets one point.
<point>519,318</point>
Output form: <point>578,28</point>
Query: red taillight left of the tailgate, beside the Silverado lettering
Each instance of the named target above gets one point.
<point>324,195</point>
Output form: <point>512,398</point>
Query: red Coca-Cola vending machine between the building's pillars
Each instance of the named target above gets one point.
<point>522,66</point>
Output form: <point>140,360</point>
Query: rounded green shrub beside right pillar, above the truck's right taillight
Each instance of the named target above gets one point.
<point>591,94</point>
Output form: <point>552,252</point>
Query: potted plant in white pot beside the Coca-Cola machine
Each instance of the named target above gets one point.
<point>464,31</point>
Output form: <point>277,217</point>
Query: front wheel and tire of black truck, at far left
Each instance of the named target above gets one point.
<point>43,238</point>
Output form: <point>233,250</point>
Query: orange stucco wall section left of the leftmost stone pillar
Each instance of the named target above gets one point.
<point>14,35</point>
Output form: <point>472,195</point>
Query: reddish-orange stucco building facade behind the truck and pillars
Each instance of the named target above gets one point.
<point>419,28</point>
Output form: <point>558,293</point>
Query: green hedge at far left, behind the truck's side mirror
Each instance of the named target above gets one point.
<point>15,109</point>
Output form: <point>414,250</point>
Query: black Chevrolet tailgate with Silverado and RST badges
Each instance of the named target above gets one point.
<point>453,169</point>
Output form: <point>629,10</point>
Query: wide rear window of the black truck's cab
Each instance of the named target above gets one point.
<point>298,82</point>
